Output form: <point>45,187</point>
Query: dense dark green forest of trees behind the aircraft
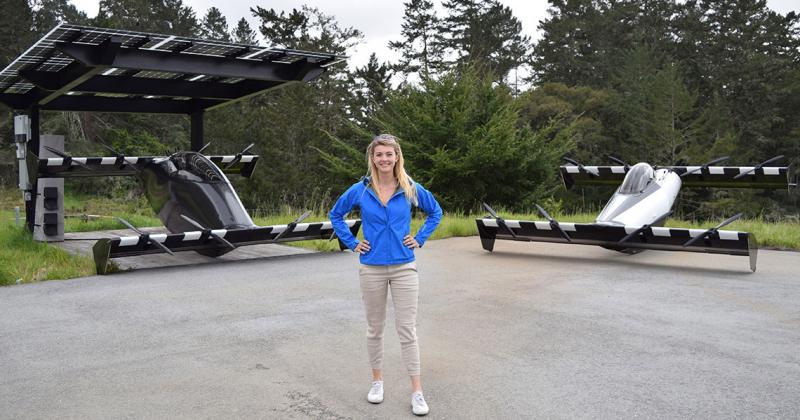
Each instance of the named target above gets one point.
<point>660,81</point>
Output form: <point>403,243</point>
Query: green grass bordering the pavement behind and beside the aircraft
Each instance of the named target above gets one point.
<point>23,260</point>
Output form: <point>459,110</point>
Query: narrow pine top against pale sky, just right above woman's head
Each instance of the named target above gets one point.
<point>417,49</point>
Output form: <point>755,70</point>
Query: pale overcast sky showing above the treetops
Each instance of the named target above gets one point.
<point>379,20</point>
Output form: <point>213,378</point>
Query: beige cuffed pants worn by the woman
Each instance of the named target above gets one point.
<point>403,281</point>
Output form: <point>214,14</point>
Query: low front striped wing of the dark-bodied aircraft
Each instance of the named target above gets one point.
<point>127,246</point>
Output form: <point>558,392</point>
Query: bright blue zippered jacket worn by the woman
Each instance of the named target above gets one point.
<point>384,226</point>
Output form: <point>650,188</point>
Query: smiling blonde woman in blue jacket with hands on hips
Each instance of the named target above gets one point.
<point>385,197</point>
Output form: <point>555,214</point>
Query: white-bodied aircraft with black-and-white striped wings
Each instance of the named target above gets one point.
<point>632,219</point>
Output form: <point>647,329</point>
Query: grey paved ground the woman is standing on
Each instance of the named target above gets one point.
<point>532,330</point>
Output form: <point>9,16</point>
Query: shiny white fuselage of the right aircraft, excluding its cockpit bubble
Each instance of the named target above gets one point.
<point>644,207</point>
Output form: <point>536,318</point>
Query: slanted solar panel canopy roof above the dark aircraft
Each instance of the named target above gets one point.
<point>81,68</point>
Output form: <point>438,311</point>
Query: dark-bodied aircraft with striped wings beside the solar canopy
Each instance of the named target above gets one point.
<point>193,198</point>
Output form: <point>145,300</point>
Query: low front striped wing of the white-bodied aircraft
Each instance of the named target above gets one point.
<point>657,238</point>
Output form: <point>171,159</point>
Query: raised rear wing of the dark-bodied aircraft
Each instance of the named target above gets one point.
<point>129,165</point>
